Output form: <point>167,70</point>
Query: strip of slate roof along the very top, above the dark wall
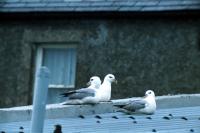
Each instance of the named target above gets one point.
<point>97,5</point>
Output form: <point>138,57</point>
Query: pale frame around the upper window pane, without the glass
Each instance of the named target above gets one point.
<point>39,60</point>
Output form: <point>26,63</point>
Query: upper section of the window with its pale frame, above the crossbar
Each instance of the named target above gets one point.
<point>61,61</point>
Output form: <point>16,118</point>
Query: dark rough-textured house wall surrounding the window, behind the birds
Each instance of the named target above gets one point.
<point>162,54</point>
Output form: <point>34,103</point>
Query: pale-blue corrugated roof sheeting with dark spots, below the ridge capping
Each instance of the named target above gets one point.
<point>185,120</point>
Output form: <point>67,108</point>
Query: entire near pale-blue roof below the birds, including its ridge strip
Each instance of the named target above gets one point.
<point>103,118</point>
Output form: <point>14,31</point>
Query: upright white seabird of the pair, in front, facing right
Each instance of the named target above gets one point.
<point>105,88</point>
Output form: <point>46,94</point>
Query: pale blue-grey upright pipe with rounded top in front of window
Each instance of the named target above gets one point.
<point>39,100</point>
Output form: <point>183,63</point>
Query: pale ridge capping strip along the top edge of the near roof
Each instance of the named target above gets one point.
<point>53,111</point>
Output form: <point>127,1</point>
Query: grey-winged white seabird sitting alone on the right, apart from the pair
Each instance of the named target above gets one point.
<point>147,105</point>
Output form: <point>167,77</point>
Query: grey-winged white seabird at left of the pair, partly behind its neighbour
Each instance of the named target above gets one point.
<point>84,95</point>
